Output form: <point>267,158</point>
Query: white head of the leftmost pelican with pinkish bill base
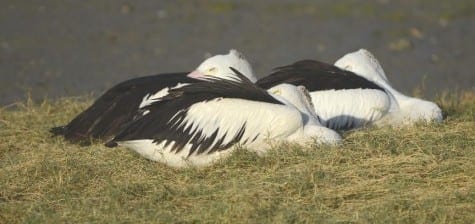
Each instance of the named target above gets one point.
<point>218,66</point>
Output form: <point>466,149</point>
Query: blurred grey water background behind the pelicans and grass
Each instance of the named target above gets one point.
<point>56,48</point>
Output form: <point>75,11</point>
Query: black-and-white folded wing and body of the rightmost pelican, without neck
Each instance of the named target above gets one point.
<point>342,99</point>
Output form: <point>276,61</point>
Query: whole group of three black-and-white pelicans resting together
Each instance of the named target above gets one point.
<point>197,118</point>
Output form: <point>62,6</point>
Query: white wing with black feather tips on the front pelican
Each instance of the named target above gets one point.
<point>212,125</point>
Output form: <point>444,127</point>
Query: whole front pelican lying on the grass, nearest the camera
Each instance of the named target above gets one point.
<point>199,123</point>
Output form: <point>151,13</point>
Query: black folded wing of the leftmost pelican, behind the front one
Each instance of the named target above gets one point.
<point>116,107</point>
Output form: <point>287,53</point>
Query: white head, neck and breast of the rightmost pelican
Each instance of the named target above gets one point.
<point>403,109</point>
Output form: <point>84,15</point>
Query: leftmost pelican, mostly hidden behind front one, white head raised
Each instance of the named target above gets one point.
<point>118,105</point>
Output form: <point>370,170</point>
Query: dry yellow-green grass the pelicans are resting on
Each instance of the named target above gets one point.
<point>424,174</point>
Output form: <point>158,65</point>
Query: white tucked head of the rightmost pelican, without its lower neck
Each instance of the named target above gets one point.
<point>363,63</point>
